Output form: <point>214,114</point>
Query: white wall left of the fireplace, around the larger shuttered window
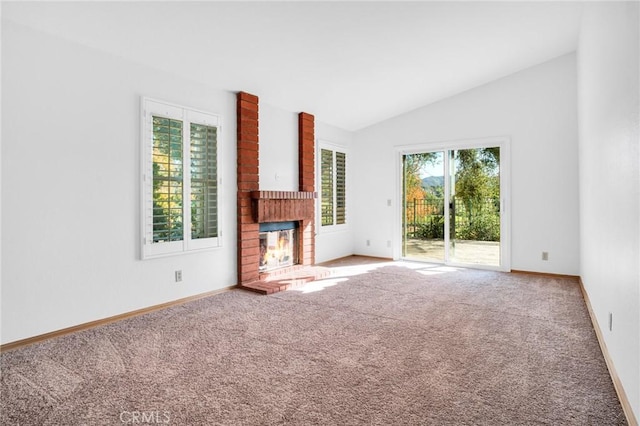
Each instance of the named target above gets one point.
<point>70,187</point>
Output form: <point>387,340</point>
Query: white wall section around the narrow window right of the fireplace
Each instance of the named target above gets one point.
<point>335,244</point>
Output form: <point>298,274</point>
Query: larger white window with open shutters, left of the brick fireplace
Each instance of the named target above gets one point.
<point>180,184</point>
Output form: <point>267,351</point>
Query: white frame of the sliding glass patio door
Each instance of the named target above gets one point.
<point>504,143</point>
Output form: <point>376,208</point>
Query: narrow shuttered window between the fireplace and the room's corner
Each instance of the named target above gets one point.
<point>333,187</point>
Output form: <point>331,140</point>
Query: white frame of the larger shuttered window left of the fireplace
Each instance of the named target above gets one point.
<point>153,107</point>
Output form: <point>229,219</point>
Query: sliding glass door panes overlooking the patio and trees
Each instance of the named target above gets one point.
<point>453,206</point>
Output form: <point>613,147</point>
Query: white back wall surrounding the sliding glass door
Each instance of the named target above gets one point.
<point>536,109</point>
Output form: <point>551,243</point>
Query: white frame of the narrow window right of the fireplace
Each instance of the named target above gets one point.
<point>323,145</point>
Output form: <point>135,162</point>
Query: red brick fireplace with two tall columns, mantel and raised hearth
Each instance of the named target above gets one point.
<point>256,206</point>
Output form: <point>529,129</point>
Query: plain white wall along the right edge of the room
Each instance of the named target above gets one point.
<point>610,180</point>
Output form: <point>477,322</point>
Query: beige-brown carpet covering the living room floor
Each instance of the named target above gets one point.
<point>381,344</point>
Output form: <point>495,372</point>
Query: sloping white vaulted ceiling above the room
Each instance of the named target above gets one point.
<point>351,64</point>
